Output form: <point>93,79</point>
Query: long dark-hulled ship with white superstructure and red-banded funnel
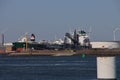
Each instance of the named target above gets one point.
<point>77,40</point>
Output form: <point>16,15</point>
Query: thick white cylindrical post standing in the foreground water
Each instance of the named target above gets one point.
<point>106,68</point>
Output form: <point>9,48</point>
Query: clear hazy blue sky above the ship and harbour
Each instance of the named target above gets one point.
<point>48,19</point>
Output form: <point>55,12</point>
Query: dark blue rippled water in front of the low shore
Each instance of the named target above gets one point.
<point>49,68</point>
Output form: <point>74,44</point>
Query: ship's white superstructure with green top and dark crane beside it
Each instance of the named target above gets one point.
<point>79,38</point>
